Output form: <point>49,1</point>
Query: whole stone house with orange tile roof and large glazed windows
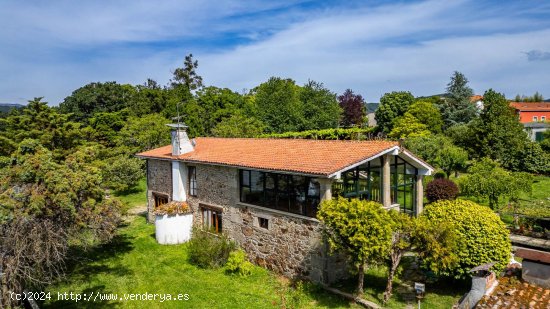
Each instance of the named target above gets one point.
<point>264,193</point>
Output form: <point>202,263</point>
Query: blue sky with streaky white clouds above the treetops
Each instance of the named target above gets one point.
<point>50,48</point>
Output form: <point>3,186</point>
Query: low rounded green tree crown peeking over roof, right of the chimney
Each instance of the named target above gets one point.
<point>239,126</point>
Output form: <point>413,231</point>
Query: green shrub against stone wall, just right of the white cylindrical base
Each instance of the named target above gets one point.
<point>209,250</point>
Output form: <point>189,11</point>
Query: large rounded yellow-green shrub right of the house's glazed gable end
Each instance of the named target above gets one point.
<point>483,237</point>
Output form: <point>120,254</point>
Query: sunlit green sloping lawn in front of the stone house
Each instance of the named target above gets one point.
<point>135,263</point>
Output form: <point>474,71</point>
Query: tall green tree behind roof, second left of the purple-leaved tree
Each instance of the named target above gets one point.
<point>279,106</point>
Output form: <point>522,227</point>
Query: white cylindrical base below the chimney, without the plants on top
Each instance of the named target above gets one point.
<point>173,229</point>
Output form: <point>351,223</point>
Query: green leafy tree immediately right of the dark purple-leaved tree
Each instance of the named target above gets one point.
<point>392,105</point>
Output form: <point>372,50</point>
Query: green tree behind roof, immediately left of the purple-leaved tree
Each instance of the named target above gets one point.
<point>320,107</point>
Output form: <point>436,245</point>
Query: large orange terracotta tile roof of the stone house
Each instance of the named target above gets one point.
<point>316,157</point>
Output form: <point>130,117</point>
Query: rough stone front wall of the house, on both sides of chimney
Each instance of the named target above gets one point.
<point>291,244</point>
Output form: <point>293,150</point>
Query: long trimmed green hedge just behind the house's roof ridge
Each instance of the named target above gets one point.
<point>327,134</point>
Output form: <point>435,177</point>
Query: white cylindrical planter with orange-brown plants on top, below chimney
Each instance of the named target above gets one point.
<point>173,223</point>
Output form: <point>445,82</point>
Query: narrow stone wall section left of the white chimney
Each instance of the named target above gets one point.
<point>159,180</point>
